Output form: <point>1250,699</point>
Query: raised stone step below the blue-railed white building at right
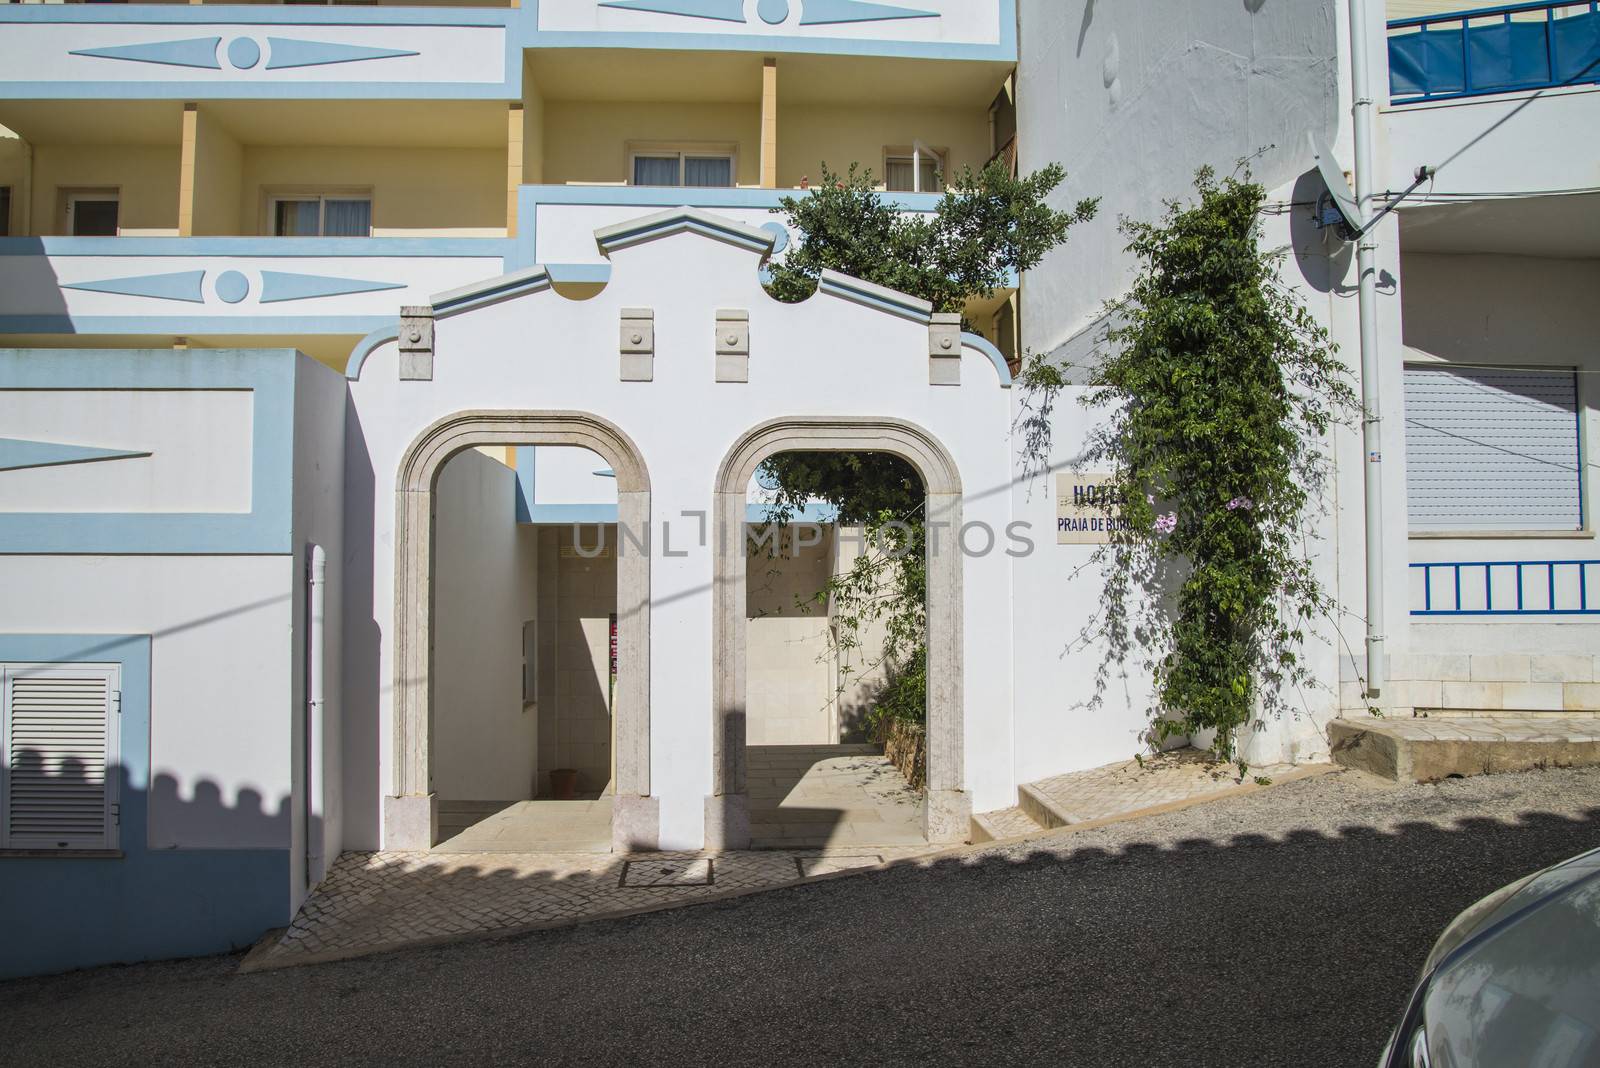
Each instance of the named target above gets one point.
<point>1428,749</point>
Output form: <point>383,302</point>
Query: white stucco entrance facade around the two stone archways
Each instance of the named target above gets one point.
<point>684,424</point>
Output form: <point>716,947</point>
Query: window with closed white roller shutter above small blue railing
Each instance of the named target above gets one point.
<point>1492,450</point>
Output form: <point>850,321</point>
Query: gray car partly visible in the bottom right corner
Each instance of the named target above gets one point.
<point>1514,981</point>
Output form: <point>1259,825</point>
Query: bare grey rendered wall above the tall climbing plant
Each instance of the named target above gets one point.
<point>1134,98</point>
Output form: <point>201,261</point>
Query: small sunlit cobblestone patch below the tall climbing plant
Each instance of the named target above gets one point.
<point>1119,789</point>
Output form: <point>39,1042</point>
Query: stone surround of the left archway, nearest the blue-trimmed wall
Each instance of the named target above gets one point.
<point>412,811</point>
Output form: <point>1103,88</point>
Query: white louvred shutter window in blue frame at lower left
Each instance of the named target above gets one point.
<point>58,727</point>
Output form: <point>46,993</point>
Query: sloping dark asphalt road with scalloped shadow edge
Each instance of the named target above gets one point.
<point>1281,928</point>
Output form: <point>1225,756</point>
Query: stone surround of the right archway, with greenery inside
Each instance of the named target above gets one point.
<point>948,810</point>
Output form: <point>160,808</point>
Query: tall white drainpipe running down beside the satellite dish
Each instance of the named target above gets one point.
<point>1372,364</point>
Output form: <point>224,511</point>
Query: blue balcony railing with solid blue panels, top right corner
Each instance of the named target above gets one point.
<point>1490,50</point>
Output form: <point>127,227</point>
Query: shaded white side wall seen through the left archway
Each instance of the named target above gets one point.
<point>486,578</point>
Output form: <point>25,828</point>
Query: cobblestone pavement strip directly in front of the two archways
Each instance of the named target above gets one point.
<point>383,901</point>
